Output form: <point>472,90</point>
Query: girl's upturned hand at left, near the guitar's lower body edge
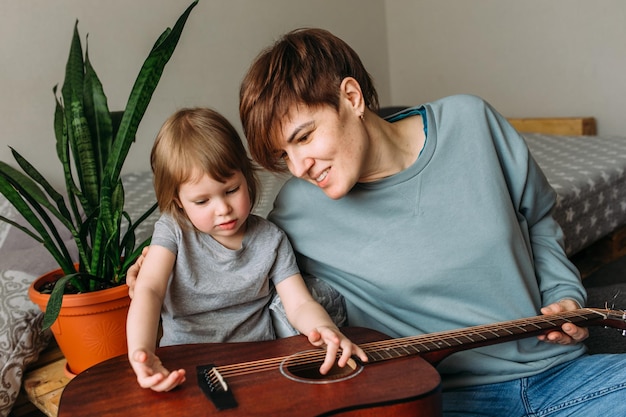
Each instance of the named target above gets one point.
<point>152,374</point>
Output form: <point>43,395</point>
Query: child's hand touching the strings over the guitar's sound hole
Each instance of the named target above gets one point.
<point>334,341</point>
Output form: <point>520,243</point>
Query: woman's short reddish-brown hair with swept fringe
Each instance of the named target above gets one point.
<point>304,67</point>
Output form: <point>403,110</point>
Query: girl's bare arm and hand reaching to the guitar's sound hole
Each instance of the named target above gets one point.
<point>310,318</point>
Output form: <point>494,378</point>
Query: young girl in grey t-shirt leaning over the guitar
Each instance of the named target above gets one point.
<point>207,274</point>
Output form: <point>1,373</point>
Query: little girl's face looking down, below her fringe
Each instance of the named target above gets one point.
<point>219,209</point>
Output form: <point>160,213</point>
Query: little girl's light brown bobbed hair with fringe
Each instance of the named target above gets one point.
<point>192,141</point>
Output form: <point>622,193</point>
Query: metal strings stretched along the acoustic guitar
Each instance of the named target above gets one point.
<point>390,346</point>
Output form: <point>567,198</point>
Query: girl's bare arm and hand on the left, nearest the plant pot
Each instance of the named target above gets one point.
<point>143,322</point>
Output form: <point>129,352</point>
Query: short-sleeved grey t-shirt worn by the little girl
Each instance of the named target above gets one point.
<point>216,294</point>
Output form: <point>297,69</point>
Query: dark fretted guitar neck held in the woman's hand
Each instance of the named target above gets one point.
<point>436,346</point>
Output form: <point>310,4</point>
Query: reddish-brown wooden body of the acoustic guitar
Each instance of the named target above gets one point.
<point>407,385</point>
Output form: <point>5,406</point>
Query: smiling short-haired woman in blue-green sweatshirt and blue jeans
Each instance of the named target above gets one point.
<point>436,218</point>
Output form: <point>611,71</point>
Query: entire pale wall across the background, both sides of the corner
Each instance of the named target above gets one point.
<point>528,58</point>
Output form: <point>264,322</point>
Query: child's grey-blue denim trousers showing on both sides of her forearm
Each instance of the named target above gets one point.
<point>326,295</point>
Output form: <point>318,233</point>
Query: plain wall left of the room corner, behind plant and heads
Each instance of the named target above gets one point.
<point>219,41</point>
